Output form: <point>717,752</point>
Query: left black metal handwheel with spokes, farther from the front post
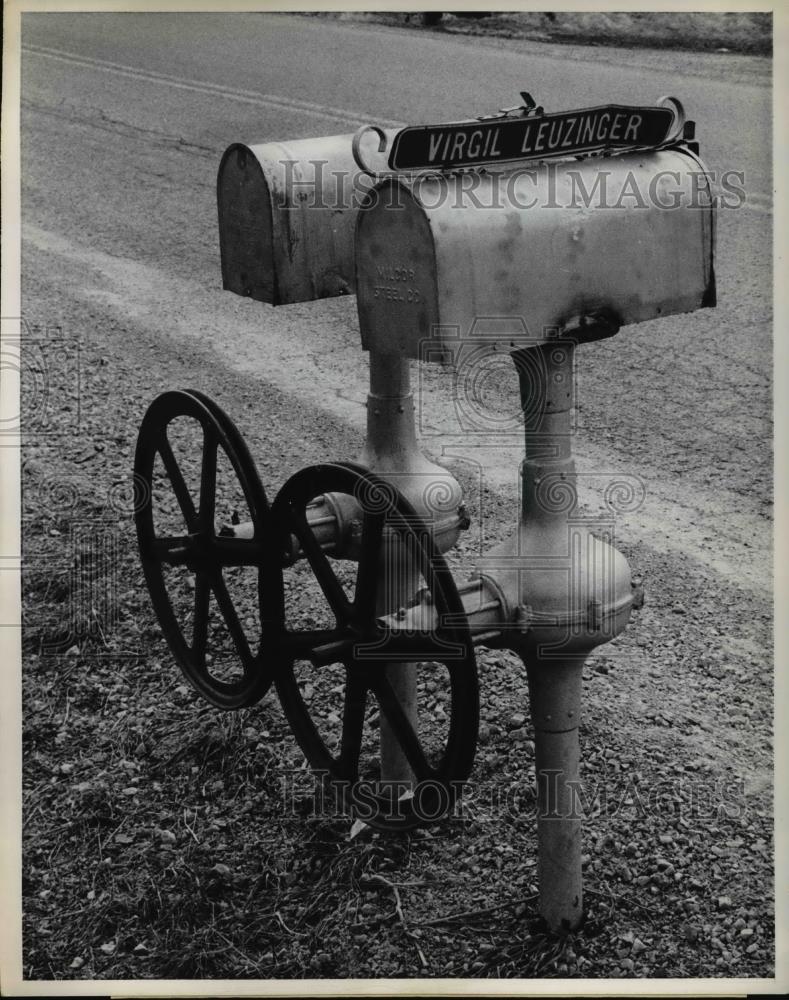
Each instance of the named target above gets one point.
<point>198,549</point>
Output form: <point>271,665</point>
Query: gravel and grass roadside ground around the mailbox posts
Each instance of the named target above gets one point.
<point>176,857</point>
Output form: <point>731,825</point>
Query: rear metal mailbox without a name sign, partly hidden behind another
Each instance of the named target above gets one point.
<point>287,212</point>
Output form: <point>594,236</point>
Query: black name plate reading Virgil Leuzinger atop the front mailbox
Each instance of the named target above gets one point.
<point>500,140</point>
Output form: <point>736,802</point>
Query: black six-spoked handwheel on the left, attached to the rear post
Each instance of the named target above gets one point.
<point>194,471</point>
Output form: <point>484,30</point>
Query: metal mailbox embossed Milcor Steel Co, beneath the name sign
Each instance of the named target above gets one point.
<point>516,258</point>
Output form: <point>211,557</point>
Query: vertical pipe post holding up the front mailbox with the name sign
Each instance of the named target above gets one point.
<point>554,656</point>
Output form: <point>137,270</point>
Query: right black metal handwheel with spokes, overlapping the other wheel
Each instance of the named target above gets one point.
<point>363,646</point>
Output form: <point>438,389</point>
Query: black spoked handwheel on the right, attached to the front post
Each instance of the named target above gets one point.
<point>332,679</point>
